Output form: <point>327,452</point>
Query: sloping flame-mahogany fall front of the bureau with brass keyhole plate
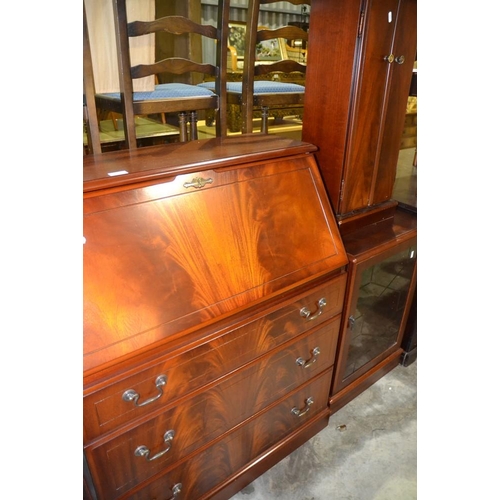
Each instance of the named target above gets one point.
<point>161,259</point>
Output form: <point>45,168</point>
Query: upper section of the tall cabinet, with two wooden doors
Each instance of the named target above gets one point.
<point>370,46</point>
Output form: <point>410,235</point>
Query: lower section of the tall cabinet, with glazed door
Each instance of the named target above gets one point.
<point>380,292</point>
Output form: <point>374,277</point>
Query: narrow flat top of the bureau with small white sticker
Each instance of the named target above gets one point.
<point>121,168</point>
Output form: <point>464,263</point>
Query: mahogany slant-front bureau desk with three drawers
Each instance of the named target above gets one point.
<point>214,283</point>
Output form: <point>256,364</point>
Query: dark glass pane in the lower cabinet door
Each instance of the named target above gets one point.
<point>379,309</point>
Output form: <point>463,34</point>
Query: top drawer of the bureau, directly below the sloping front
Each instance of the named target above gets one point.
<point>109,407</point>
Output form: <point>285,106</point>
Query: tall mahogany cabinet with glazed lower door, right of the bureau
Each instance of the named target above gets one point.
<point>370,46</point>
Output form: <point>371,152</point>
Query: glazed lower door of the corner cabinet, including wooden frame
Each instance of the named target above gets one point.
<point>373,329</point>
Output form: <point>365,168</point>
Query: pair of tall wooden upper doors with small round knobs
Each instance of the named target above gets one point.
<point>383,77</point>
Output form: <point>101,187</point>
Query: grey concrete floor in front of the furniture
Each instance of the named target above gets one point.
<point>373,458</point>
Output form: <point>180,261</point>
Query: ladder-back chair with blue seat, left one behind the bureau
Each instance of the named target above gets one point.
<point>181,98</point>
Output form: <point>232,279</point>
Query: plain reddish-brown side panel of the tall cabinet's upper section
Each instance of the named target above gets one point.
<point>333,28</point>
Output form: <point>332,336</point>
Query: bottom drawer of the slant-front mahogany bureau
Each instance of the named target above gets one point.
<point>201,473</point>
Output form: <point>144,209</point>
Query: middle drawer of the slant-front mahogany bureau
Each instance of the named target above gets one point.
<point>186,427</point>
